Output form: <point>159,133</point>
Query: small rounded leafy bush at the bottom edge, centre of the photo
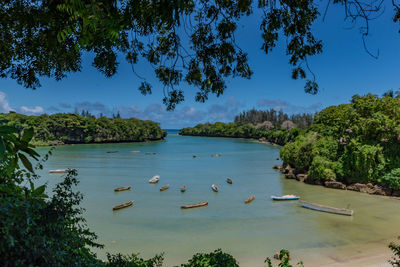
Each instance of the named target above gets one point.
<point>216,258</point>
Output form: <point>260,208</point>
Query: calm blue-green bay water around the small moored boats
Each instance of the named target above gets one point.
<point>250,232</point>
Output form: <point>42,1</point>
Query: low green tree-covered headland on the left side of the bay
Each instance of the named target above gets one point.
<point>73,128</point>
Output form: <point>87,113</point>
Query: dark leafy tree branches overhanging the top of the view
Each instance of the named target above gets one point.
<point>186,41</point>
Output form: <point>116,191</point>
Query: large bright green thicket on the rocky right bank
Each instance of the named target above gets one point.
<point>355,142</point>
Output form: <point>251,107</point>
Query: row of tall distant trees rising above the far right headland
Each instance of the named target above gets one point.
<point>276,118</point>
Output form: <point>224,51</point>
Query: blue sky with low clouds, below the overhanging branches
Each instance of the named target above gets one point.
<point>342,70</point>
